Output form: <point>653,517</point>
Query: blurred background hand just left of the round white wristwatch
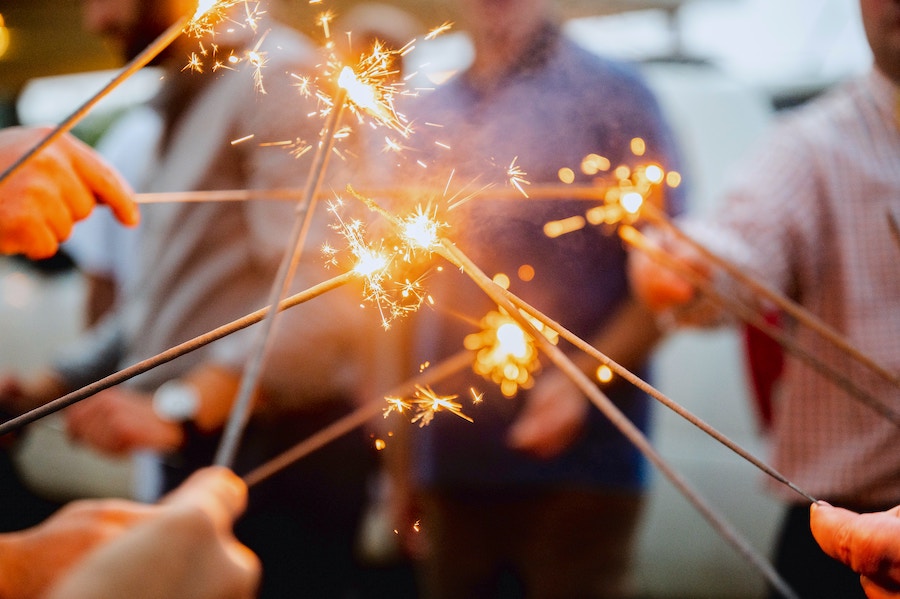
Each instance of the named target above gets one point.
<point>119,420</point>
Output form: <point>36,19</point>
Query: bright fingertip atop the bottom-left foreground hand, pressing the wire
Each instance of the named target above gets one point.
<point>216,490</point>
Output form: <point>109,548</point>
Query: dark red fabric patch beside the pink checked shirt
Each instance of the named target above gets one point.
<point>765,362</point>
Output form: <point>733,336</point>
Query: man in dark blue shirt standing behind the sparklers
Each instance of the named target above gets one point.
<point>540,495</point>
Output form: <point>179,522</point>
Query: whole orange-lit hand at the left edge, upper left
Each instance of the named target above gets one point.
<point>57,187</point>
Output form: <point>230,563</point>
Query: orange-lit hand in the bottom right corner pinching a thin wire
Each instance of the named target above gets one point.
<point>868,543</point>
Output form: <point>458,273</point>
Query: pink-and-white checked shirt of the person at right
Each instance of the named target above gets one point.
<point>812,207</point>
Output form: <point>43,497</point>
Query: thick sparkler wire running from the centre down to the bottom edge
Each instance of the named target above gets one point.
<point>599,399</point>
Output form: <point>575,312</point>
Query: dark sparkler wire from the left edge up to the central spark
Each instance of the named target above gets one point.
<point>170,354</point>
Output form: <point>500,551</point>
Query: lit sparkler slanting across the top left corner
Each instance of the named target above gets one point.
<point>200,21</point>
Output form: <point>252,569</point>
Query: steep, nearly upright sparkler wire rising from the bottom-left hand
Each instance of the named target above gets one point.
<point>240,411</point>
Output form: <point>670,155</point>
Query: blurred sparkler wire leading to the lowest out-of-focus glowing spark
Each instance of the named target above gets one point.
<point>354,419</point>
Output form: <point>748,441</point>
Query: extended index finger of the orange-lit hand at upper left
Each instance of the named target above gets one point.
<point>105,183</point>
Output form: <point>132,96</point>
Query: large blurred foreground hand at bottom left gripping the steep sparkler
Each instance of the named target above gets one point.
<point>184,547</point>
